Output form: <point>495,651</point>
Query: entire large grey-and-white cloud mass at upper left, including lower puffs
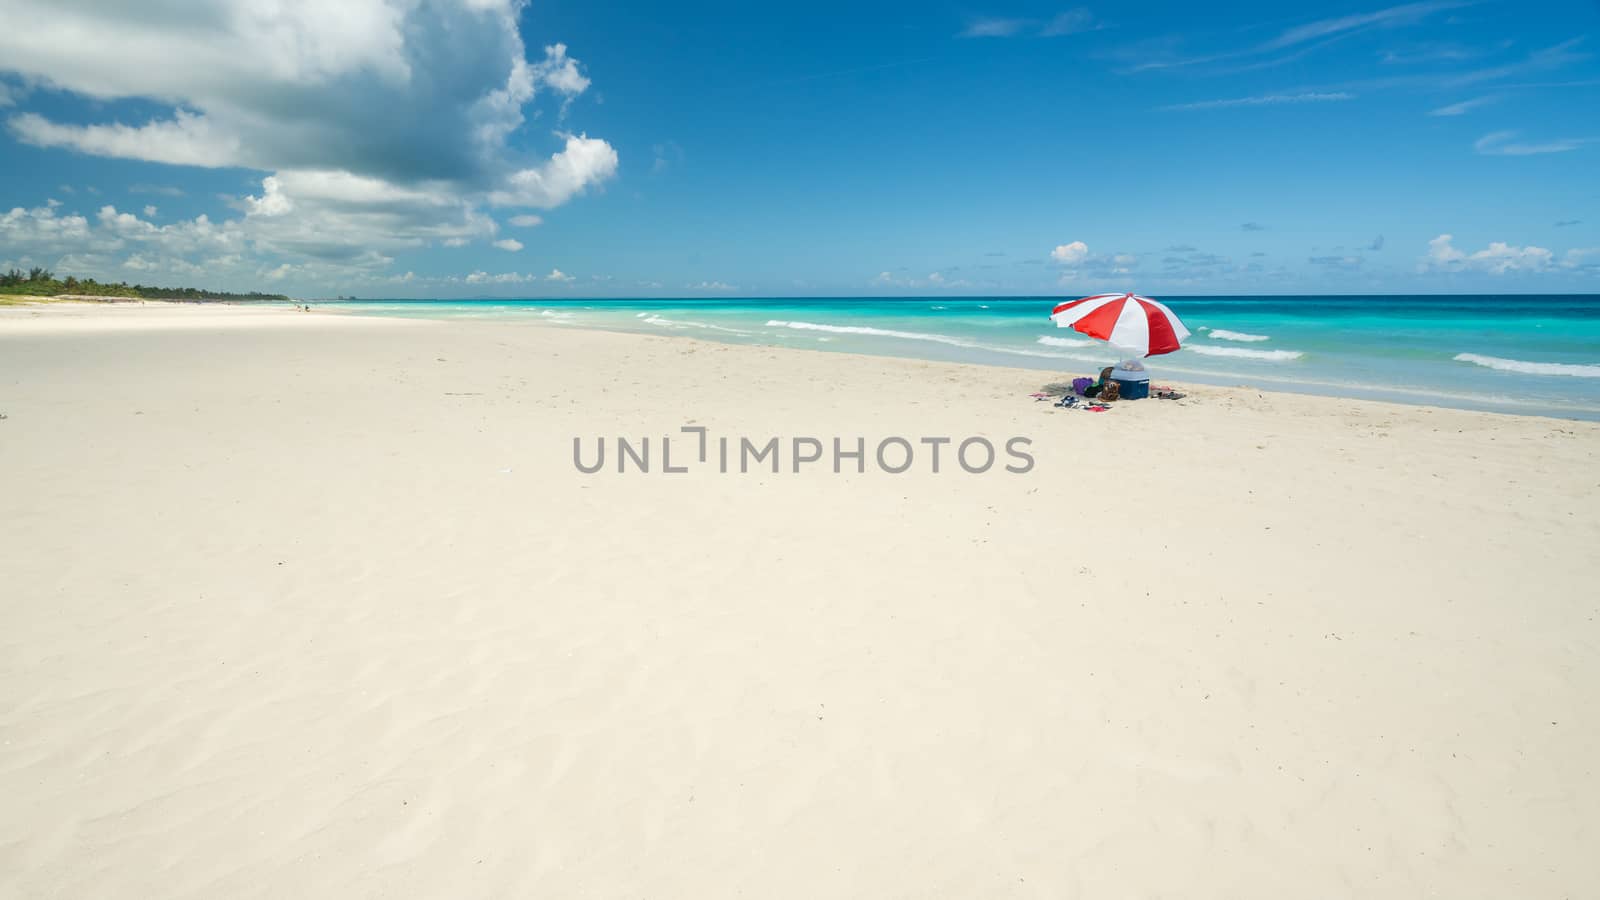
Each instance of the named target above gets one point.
<point>378,126</point>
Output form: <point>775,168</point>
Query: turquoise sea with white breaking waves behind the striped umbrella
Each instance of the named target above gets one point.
<point>1519,355</point>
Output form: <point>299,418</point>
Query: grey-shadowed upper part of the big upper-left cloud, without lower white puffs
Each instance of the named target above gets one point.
<point>279,86</point>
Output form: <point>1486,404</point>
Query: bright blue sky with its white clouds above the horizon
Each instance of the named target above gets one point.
<point>489,148</point>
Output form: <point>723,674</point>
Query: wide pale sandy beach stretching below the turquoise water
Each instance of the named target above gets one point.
<point>303,605</point>
